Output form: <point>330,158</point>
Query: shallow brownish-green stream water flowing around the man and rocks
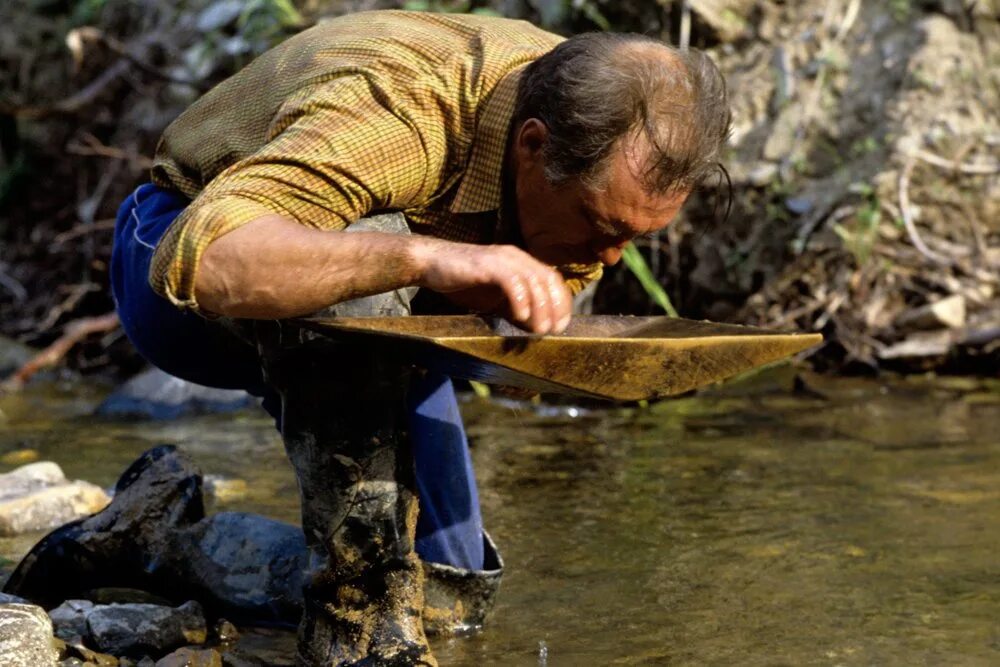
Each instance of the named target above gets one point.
<point>844,522</point>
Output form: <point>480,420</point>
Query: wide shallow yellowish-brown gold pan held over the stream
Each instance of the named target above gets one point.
<point>609,357</point>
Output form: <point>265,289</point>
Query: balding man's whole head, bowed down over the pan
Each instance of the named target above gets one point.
<point>610,134</point>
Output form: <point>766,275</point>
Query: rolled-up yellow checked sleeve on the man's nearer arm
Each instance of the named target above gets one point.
<point>334,153</point>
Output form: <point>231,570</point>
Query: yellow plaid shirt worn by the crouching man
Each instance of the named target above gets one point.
<point>372,112</point>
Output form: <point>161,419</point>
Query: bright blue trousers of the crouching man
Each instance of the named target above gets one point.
<point>449,527</point>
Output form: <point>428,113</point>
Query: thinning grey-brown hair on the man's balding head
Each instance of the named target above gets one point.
<point>595,90</point>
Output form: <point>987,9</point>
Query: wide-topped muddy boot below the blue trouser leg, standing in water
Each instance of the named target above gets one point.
<point>456,600</point>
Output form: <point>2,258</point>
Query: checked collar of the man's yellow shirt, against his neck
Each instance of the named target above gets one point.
<point>481,186</point>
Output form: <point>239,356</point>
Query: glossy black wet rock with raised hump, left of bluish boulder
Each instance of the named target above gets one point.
<point>119,546</point>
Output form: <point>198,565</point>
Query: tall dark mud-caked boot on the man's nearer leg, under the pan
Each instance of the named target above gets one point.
<point>344,427</point>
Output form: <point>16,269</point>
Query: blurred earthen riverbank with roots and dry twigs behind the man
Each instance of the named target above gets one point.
<point>864,159</point>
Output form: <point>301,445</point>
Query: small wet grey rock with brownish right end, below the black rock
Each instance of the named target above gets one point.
<point>137,629</point>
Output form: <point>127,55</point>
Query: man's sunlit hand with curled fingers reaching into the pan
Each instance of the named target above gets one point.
<point>533,293</point>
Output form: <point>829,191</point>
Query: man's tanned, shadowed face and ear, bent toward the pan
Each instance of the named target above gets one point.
<point>574,224</point>
